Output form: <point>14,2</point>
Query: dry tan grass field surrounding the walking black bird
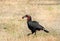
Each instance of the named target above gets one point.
<point>14,28</point>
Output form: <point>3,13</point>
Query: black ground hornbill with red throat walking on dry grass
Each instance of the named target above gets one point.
<point>34,25</point>
